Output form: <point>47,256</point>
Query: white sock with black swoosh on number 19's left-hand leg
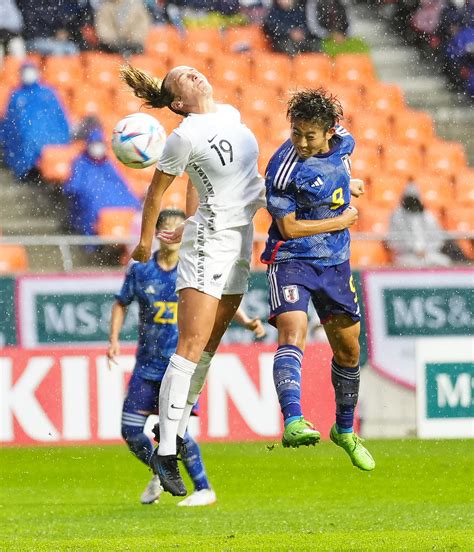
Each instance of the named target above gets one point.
<point>173,393</point>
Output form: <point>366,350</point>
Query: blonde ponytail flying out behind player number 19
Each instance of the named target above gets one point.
<point>147,87</point>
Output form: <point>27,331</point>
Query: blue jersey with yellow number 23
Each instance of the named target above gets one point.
<point>155,291</point>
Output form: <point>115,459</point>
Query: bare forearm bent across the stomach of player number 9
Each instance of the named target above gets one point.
<point>291,228</point>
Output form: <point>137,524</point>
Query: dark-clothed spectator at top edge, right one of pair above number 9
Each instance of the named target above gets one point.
<point>327,19</point>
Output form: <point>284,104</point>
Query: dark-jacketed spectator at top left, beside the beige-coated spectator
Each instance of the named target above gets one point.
<point>52,26</point>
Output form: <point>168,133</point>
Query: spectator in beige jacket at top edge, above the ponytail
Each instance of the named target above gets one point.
<point>122,26</point>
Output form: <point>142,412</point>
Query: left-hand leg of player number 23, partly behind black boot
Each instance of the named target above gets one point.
<point>138,405</point>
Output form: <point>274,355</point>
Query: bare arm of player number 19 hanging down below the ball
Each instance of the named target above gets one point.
<point>151,209</point>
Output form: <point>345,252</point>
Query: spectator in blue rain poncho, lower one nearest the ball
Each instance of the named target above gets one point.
<point>94,184</point>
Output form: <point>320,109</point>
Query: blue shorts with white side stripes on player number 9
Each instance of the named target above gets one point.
<point>331,289</point>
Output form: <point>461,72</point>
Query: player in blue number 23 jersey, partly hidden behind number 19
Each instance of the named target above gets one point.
<point>153,285</point>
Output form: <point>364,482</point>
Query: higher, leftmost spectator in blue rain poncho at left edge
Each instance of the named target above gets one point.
<point>34,118</point>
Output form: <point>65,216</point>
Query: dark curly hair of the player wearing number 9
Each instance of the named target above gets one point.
<point>316,106</point>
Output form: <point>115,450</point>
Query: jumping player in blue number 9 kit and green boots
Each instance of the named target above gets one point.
<point>308,188</point>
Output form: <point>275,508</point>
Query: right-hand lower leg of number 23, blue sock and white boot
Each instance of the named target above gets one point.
<point>203,494</point>
